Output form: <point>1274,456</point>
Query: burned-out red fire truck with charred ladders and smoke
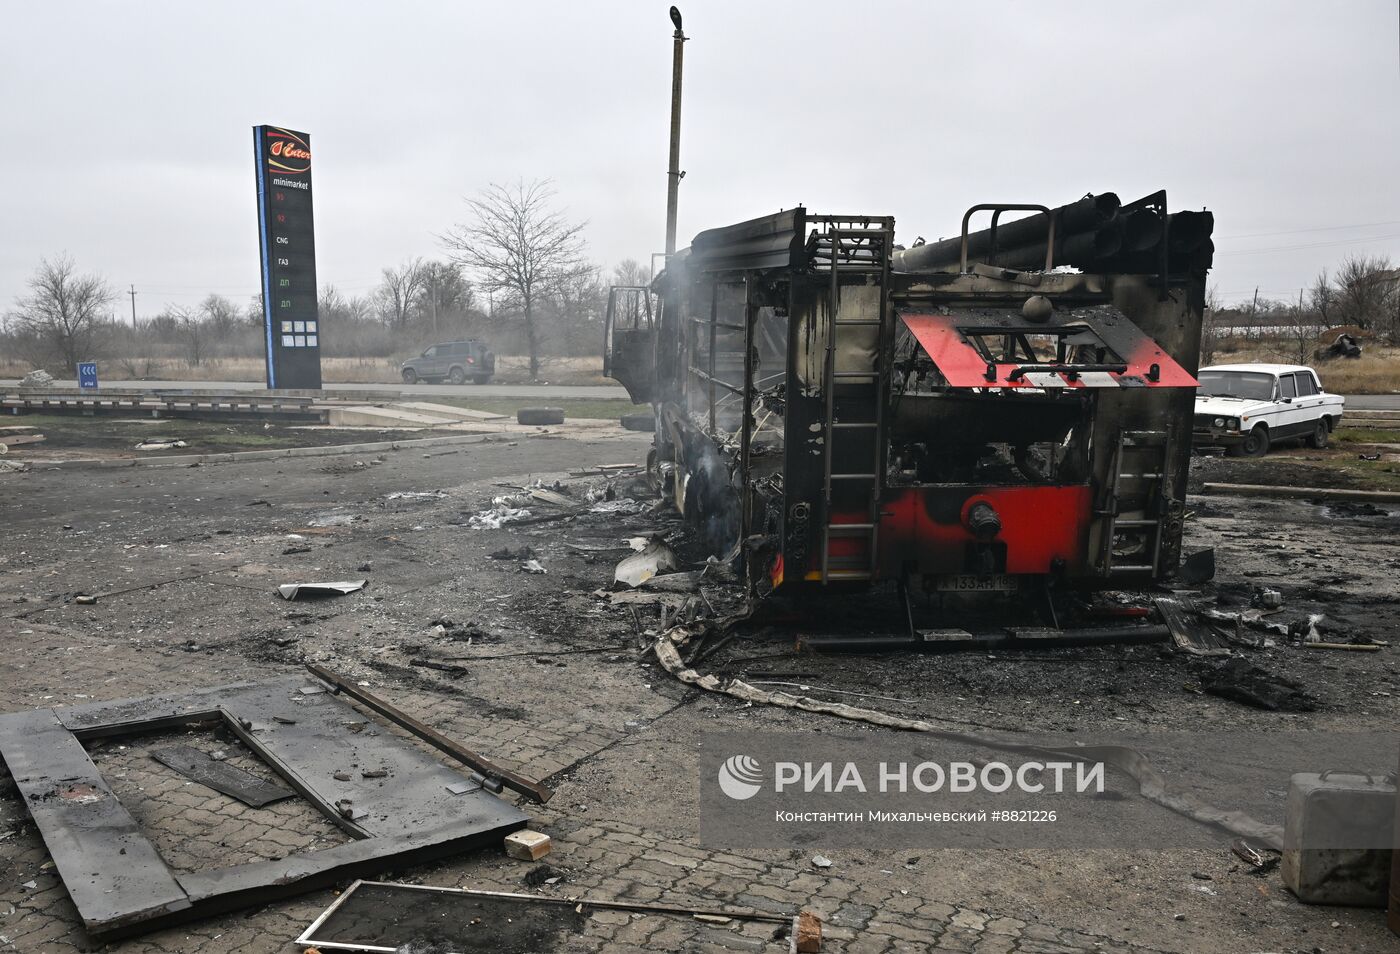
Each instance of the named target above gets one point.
<point>1000,411</point>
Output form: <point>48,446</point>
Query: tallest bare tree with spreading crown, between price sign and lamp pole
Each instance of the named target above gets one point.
<point>519,244</point>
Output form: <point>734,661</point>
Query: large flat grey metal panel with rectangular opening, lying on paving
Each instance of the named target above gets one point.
<point>320,746</point>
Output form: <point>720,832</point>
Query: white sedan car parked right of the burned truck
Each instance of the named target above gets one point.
<point>1248,408</point>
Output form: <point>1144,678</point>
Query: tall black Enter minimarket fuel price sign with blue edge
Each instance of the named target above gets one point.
<point>289,258</point>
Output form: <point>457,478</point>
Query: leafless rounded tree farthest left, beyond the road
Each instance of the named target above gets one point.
<point>65,312</point>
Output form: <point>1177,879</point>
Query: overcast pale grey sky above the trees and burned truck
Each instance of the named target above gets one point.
<point>131,148</point>
